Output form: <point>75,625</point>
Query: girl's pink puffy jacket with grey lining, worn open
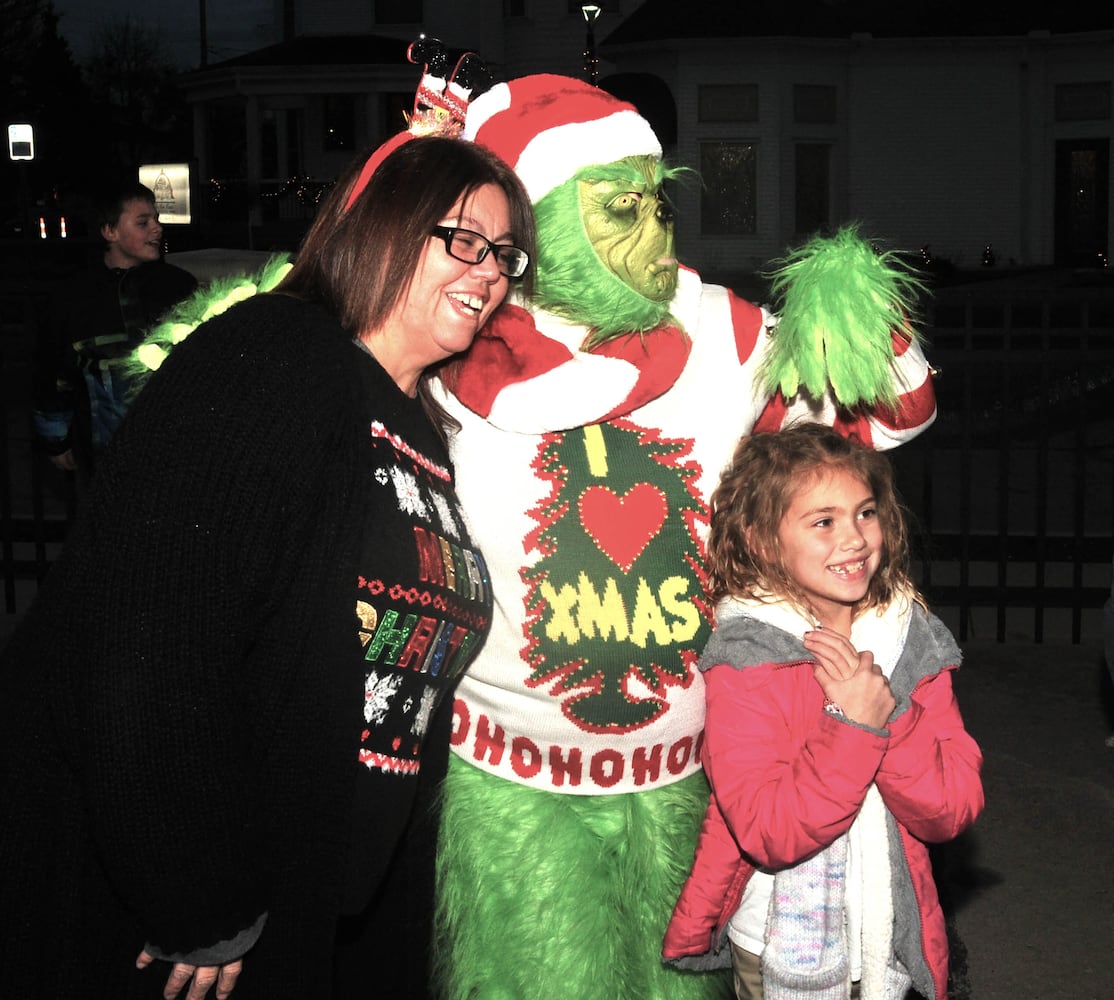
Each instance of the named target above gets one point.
<point>789,779</point>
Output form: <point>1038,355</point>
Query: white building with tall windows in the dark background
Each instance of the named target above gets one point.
<point>932,125</point>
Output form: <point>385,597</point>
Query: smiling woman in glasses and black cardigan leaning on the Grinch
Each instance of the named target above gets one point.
<point>228,712</point>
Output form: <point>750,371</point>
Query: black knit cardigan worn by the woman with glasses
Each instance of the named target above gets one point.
<point>181,708</point>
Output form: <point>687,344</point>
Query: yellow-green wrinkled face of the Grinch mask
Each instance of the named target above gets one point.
<point>631,227</point>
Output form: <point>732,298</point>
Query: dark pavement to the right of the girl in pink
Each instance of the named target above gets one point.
<point>1031,885</point>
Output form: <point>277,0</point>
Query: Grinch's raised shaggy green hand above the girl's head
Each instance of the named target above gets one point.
<point>841,302</point>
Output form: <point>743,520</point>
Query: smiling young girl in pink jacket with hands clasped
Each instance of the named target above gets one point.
<point>834,742</point>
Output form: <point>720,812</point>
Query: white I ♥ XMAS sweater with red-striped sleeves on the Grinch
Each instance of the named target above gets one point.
<point>588,478</point>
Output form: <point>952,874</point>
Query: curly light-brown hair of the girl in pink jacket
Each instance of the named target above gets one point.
<point>755,493</point>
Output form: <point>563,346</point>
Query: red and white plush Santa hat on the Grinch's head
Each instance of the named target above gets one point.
<point>548,128</point>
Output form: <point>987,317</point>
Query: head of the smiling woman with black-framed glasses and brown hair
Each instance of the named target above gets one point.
<point>413,296</point>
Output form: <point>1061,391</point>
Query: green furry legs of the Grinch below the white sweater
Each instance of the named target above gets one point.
<point>551,897</point>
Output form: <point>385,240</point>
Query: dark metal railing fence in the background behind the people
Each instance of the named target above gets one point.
<point>1012,492</point>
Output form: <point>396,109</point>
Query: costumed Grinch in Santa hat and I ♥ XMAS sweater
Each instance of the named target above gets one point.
<point>594,423</point>
